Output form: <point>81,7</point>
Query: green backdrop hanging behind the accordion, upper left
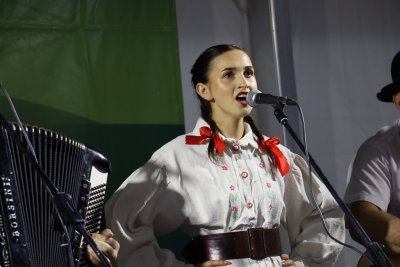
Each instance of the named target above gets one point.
<point>105,73</point>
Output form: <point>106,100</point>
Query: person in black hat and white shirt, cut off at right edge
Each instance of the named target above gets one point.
<point>373,192</point>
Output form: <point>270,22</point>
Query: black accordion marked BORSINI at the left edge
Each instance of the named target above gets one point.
<point>31,233</point>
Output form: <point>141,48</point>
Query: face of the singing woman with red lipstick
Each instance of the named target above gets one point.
<point>231,76</point>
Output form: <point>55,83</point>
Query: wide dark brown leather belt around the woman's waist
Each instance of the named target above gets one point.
<point>255,243</point>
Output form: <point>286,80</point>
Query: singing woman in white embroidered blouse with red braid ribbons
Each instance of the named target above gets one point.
<point>226,185</point>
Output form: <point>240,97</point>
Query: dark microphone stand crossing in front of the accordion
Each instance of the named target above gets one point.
<point>61,200</point>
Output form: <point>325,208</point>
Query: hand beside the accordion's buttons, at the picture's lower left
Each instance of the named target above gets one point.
<point>106,244</point>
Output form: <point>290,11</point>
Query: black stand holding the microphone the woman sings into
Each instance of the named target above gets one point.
<point>379,257</point>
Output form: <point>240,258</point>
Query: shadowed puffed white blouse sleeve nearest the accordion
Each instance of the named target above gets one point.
<point>143,207</point>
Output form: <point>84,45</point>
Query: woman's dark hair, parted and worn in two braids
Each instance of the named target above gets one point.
<point>200,73</point>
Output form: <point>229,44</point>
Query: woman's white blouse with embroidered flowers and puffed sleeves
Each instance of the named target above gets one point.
<point>181,188</point>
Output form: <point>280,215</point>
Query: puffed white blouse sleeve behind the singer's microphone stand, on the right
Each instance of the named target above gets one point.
<point>310,244</point>
